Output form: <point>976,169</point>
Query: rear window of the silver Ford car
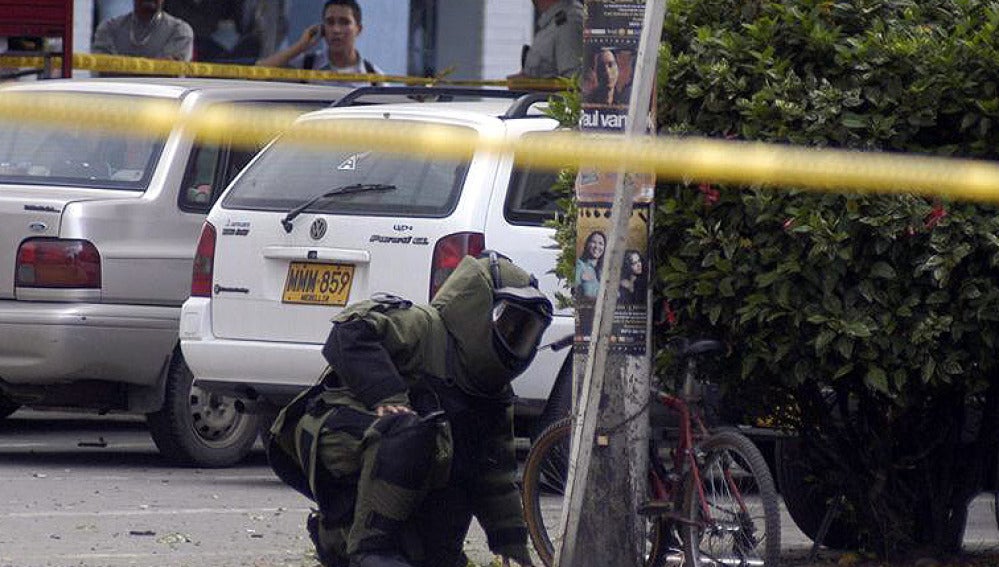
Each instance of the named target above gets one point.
<point>31,154</point>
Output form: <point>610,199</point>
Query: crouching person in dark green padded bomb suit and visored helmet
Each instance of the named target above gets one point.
<point>409,433</point>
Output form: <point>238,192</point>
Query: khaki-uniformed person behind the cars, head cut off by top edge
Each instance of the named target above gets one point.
<point>557,49</point>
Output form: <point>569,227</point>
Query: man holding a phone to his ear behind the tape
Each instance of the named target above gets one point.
<point>329,45</point>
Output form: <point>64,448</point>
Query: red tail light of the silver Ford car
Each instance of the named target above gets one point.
<point>58,263</point>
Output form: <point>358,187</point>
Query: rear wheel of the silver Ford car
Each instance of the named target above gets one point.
<point>198,428</point>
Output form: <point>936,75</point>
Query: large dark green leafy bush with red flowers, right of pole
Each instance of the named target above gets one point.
<point>875,319</point>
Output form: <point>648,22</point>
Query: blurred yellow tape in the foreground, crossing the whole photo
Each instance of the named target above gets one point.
<point>691,159</point>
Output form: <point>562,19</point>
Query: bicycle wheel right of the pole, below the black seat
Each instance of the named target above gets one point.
<point>743,527</point>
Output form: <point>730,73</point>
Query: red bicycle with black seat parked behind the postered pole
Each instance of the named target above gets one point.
<point>712,499</point>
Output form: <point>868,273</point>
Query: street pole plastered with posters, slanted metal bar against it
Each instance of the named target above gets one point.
<point>611,359</point>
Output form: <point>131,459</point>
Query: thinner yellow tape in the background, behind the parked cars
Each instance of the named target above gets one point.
<point>118,64</point>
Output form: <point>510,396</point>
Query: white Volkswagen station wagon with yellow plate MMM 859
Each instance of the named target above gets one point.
<point>301,233</point>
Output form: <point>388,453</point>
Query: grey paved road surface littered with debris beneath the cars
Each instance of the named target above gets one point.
<point>92,491</point>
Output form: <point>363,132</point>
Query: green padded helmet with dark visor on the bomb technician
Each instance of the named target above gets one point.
<point>496,316</point>
